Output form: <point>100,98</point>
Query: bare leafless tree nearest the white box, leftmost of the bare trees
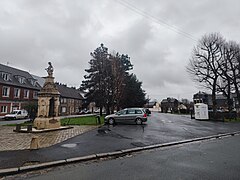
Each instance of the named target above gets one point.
<point>205,63</point>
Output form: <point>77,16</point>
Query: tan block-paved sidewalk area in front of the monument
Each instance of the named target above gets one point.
<point>10,140</point>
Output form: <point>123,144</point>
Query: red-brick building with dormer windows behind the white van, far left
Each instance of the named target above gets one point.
<point>17,88</point>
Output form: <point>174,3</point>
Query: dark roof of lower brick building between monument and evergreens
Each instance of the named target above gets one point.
<point>69,92</point>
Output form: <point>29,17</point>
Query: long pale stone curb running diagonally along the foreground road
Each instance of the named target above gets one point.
<point>11,171</point>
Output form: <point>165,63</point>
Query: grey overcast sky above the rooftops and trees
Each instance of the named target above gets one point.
<point>158,35</point>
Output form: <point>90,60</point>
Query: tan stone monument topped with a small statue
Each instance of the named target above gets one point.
<point>48,103</point>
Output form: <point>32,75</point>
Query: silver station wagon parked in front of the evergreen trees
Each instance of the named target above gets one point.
<point>137,115</point>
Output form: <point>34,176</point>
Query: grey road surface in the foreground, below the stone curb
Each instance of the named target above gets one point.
<point>213,159</point>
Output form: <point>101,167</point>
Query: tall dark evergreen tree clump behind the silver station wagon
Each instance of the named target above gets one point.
<point>108,82</point>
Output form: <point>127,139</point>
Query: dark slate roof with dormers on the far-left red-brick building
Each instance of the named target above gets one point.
<point>14,74</point>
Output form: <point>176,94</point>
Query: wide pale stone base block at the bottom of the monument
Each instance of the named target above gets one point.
<point>47,123</point>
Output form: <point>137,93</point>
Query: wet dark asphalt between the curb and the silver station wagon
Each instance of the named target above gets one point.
<point>160,128</point>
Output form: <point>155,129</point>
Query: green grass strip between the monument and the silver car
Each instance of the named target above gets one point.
<point>87,120</point>
